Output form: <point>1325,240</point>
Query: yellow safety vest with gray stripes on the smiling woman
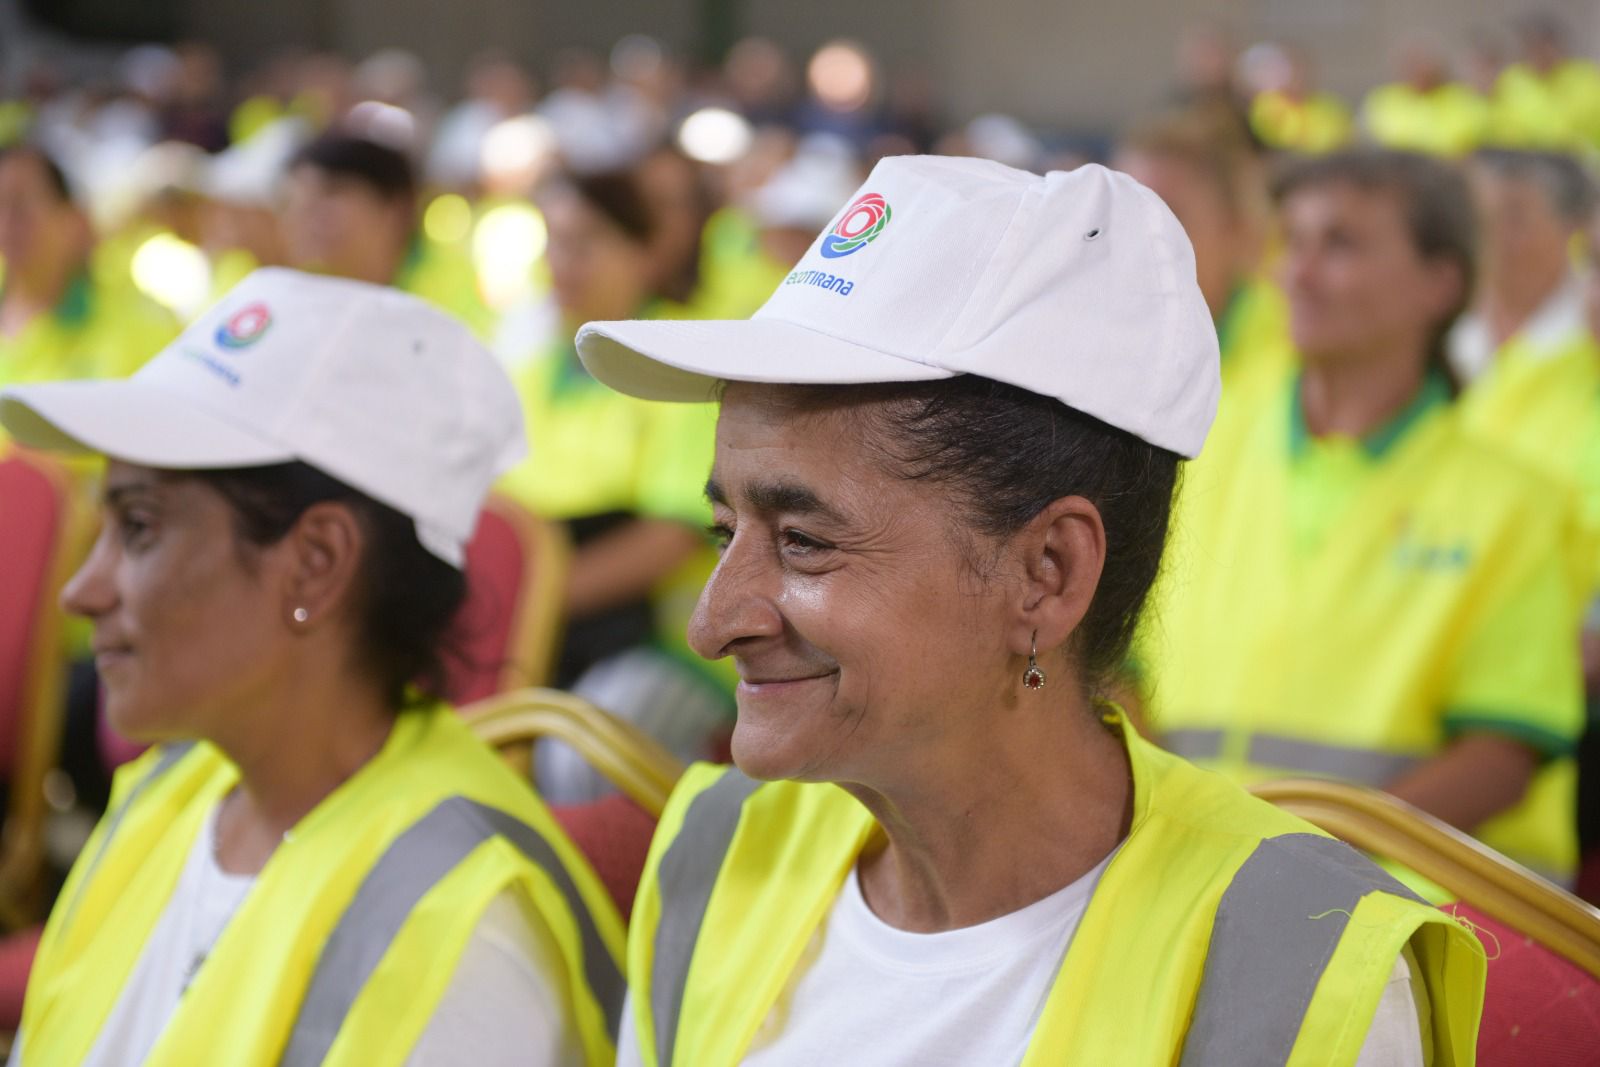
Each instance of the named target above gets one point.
<point>1233,932</point>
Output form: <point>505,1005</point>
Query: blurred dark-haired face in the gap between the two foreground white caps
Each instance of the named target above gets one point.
<point>598,271</point>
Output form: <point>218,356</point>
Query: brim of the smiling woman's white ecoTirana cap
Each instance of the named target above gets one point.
<point>684,361</point>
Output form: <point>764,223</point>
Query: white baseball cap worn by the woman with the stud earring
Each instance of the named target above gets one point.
<point>366,383</point>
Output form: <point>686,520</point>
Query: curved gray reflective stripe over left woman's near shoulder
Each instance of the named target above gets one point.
<point>414,865</point>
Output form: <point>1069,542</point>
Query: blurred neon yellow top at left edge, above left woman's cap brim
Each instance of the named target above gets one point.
<point>95,332</point>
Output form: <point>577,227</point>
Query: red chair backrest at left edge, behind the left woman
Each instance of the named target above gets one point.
<point>33,522</point>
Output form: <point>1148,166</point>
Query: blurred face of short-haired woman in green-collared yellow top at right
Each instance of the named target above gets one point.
<point>1356,282</point>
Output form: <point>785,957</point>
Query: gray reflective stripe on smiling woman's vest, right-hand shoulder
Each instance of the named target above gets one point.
<point>1276,930</point>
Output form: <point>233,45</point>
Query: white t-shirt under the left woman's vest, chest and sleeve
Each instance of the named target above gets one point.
<point>508,1004</point>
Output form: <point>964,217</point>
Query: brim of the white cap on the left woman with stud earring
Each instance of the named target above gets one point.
<point>132,422</point>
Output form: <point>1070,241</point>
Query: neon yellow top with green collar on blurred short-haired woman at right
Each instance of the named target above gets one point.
<point>1380,596</point>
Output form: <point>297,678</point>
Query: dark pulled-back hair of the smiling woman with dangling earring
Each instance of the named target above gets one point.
<point>1006,454</point>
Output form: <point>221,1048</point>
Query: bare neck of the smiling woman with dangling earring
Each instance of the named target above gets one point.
<point>1002,825</point>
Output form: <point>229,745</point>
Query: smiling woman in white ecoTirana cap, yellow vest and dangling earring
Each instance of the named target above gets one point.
<point>945,463</point>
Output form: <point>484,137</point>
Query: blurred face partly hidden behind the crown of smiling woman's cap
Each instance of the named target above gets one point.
<point>1225,244</point>
